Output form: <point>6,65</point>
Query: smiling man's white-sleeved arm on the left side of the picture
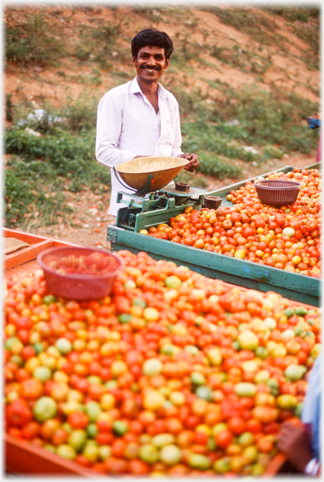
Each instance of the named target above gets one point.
<point>109,122</point>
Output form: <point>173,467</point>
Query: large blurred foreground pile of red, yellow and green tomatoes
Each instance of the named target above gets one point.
<point>172,374</point>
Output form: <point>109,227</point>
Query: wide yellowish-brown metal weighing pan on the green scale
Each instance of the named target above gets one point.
<point>163,169</point>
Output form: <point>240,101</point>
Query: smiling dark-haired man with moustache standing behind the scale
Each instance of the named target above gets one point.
<point>140,118</point>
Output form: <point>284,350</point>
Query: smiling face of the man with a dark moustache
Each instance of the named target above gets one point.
<point>150,63</point>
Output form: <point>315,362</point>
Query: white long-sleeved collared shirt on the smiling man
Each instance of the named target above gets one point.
<point>128,126</point>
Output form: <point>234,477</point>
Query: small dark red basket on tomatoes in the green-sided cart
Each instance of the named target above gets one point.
<point>277,192</point>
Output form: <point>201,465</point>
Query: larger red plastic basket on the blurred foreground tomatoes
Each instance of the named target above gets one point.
<point>79,286</point>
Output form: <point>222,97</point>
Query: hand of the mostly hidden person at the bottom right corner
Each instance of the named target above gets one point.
<point>294,442</point>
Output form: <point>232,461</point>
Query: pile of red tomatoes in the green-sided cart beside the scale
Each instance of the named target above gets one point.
<point>287,237</point>
